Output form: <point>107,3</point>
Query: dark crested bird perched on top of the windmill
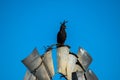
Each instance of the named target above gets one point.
<point>61,36</point>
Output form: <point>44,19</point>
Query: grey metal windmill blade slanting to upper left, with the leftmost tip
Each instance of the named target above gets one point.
<point>35,65</point>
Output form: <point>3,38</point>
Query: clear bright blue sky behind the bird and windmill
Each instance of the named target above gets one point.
<point>93,25</point>
